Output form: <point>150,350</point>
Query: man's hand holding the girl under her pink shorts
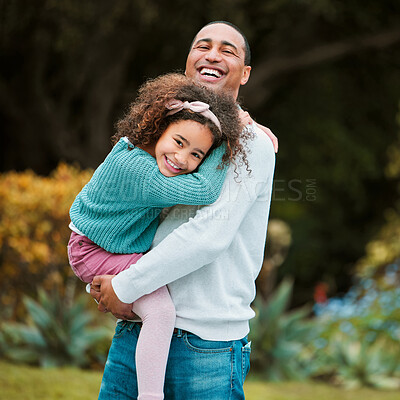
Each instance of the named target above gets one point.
<point>102,291</point>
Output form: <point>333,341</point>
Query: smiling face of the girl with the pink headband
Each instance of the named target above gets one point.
<point>182,147</point>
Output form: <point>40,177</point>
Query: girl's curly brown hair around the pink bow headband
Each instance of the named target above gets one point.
<point>146,119</point>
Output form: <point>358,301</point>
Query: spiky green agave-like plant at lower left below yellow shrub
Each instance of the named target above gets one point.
<point>57,333</point>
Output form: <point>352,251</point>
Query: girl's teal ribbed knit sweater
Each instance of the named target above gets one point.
<point>119,207</point>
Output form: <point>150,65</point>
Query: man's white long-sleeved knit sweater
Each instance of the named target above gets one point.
<point>210,256</point>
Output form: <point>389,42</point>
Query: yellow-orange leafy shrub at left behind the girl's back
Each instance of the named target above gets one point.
<point>34,231</point>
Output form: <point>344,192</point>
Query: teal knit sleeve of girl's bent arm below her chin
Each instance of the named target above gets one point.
<point>198,188</point>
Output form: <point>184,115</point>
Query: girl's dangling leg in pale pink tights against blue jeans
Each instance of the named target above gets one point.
<point>157,313</point>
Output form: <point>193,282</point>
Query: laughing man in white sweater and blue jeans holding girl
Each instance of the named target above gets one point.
<point>208,256</point>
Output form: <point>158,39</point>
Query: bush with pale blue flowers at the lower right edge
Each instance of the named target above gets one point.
<point>359,338</point>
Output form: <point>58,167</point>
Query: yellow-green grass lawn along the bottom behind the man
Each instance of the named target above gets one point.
<point>26,383</point>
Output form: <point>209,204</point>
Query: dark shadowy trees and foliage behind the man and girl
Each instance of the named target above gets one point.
<point>325,80</point>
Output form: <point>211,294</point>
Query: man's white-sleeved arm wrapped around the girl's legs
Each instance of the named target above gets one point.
<point>203,238</point>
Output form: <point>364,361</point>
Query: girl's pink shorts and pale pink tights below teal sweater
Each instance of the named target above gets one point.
<point>156,311</point>
